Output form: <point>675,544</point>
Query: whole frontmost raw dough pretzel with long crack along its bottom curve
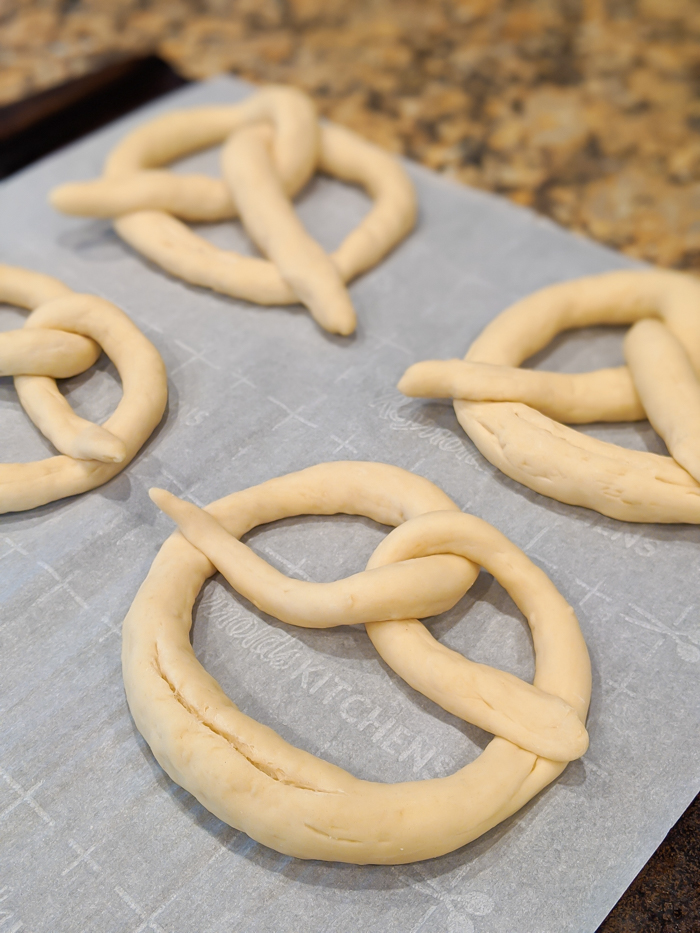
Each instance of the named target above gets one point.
<point>247,775</point>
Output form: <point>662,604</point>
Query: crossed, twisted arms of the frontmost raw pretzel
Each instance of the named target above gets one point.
<point>405,580</point>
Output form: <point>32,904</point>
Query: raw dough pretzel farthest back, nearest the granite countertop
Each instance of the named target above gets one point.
<point>274,145</point>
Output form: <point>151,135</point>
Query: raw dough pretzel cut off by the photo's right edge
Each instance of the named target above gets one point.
<point>508,412</point>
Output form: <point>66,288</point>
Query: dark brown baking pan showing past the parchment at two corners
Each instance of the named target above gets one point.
<point>663,898</point>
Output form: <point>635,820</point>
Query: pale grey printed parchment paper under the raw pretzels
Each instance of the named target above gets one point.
<point>93,834</point>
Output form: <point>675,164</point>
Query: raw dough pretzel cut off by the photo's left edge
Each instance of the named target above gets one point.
<point>63,336</point>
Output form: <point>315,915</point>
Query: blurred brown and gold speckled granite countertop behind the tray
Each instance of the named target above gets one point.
<point>587,110</point>
